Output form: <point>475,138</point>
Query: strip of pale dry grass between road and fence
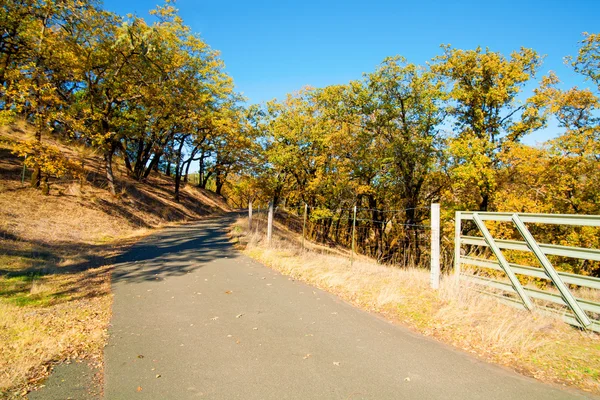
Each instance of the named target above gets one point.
<point>537,345</point>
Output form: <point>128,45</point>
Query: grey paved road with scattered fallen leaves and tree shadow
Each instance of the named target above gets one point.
<point>194,319</point>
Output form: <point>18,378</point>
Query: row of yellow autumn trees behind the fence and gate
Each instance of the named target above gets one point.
<point>450,132</point>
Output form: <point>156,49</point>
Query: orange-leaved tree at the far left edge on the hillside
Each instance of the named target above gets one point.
<point>36,76</point>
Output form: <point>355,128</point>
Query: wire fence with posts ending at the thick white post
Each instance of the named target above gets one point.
<point>389,236</point>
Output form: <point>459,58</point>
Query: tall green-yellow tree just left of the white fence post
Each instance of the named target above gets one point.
<point>406,102</point>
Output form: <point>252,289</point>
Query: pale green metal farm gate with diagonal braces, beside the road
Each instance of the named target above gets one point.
<point>560,291</point>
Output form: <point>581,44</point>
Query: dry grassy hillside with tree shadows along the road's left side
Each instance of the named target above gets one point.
<point>56,251</point>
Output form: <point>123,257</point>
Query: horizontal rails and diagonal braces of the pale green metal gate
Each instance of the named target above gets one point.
<point>580,312</point>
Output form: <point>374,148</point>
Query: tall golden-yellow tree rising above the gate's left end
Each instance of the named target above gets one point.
<point>484,89</point>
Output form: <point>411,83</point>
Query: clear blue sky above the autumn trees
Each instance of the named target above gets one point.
<point>275,47</point>
